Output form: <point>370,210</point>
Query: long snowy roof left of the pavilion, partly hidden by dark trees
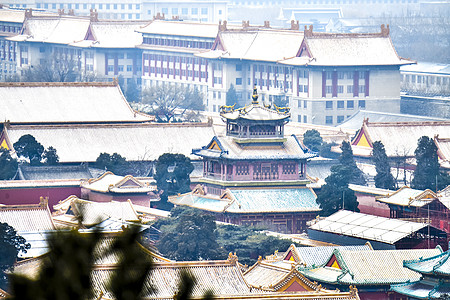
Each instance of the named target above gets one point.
<point>135,142</point>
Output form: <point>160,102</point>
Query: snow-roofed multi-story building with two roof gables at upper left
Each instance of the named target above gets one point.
<point>103,49</point>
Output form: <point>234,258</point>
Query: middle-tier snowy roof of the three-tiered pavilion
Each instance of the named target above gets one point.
<point>289,148</point>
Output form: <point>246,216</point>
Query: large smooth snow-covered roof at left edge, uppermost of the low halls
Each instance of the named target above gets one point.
<point>65,102</point>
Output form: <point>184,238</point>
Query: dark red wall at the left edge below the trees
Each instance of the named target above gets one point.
<point>16,196</point>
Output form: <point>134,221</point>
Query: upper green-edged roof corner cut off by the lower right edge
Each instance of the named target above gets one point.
<point>438,265</point>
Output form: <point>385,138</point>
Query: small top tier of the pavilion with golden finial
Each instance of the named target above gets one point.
<point>255,120</point>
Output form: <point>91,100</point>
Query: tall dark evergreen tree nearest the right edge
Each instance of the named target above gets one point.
<point>427,170</point>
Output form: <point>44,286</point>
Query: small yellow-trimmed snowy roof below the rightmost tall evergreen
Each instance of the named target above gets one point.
<point>407,196</point>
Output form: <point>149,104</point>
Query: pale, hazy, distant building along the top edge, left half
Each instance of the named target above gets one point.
<point>199,10</point>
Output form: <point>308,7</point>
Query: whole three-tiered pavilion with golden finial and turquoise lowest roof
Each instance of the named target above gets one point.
<point>254,174</point>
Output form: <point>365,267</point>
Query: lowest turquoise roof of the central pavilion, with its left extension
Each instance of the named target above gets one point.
<point>253,201</point>
